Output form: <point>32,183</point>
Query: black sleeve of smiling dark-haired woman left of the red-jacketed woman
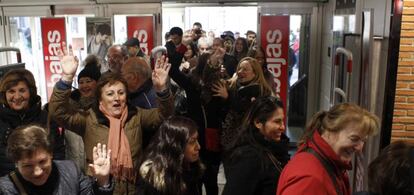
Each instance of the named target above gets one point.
<point>242,175</point>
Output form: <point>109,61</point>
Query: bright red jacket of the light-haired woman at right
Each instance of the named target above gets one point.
<point>305,174</point>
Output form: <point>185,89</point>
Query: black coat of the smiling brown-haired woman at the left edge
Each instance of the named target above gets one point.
<point>10,119</point>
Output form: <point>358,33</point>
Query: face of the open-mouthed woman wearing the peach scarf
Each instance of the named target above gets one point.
<point>113,98</point>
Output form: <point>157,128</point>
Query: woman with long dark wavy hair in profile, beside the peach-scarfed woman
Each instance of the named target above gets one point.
<point>171,163</point>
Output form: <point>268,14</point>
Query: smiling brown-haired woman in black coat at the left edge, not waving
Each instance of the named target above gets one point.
<point>20,105</point>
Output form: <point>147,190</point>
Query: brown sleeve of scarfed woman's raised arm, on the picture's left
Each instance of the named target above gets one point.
<point>60,110</point>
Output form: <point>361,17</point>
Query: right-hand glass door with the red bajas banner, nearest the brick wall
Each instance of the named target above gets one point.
<point>300,79</point>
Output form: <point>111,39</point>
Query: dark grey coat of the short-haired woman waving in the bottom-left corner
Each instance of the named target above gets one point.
<point>70,181</point>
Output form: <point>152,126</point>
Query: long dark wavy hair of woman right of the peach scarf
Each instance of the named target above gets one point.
<point>166,153</point>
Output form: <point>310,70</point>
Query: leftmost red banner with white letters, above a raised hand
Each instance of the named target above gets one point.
<point>53,34</point>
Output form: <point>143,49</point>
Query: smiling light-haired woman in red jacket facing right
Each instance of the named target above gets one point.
<point>325,151</point>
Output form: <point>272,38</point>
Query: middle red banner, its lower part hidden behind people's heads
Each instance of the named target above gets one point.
<point>142,28</point>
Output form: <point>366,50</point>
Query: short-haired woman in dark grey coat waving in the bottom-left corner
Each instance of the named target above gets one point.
<point>30,149</point>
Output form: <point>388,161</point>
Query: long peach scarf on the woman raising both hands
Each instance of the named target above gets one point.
<point>121,159</point>
